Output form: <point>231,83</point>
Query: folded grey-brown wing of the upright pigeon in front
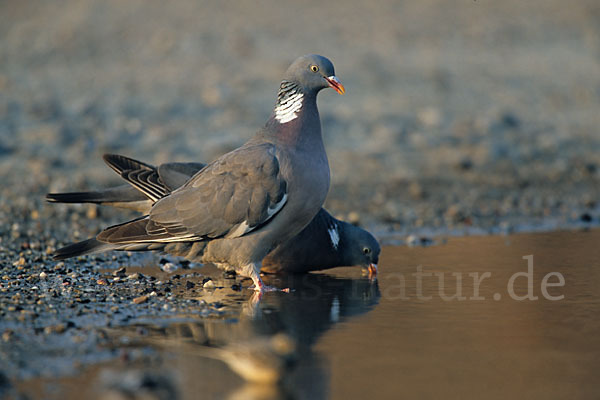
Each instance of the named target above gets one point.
<point>233,196</point>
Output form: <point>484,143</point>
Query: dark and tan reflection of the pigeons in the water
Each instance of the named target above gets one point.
<point>269,345</point>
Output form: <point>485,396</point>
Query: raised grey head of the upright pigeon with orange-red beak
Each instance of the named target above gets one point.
<point>313,73</point>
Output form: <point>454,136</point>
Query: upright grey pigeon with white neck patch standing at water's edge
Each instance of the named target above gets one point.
<point>247,202</point>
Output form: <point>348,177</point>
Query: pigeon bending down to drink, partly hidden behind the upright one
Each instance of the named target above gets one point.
<point>324,243</point>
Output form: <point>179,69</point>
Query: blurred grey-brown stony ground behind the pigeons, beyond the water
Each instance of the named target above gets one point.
<point>479,115</point>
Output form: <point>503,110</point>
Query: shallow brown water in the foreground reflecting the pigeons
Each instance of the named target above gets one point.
<point>362,338</point>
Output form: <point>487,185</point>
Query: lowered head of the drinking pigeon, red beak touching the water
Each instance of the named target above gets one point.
<point>363,249</point>
